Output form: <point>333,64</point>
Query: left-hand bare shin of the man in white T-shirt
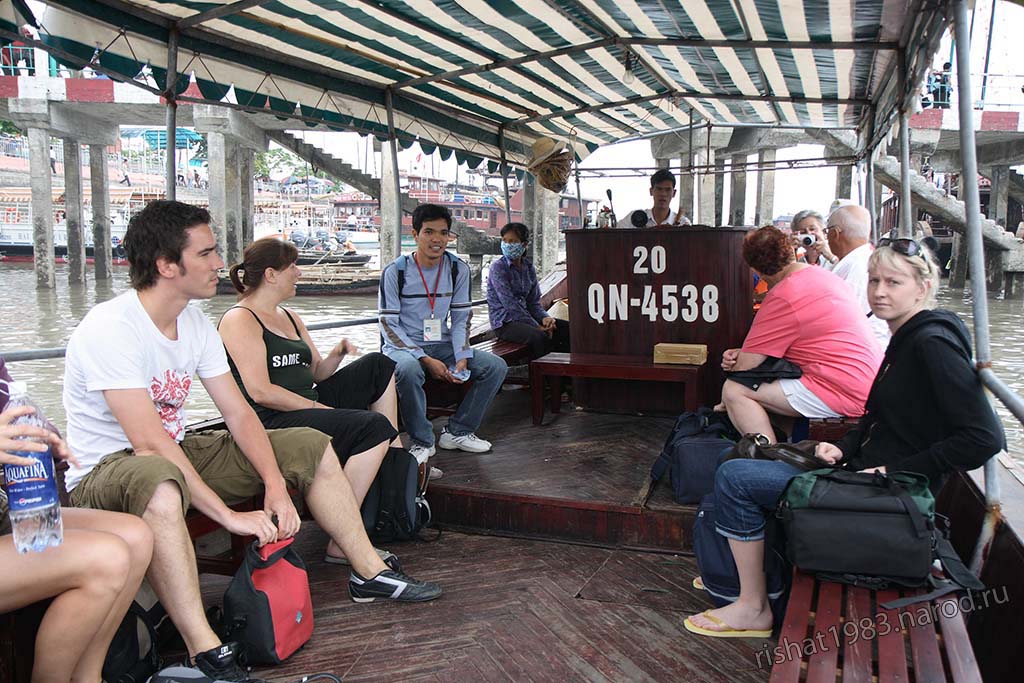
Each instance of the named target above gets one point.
<point>174,574</point>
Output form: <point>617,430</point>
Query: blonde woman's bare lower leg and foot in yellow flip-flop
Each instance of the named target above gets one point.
<point>751,611</point>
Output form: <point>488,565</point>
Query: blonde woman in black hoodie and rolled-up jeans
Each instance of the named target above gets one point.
<point>927,413</point>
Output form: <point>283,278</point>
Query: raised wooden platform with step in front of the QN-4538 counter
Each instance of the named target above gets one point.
<point>581,477</point>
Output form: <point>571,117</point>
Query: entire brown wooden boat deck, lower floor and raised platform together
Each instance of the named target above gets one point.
<point>526,609</point>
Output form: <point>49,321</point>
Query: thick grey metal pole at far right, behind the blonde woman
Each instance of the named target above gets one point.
<point>976,263</point>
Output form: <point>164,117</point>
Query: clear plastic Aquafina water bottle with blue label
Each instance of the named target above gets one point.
<point>32,491</point>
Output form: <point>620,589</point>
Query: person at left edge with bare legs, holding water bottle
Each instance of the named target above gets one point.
<point>93,573</point>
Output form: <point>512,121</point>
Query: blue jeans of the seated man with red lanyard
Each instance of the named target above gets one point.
<point>487,373</point>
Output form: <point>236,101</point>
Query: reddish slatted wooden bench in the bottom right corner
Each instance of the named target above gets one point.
<point>834,632</point>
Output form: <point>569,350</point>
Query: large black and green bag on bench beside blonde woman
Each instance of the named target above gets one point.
<point>871,530</point>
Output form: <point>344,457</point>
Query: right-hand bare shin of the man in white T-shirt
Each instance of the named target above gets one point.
<point>333,505</point>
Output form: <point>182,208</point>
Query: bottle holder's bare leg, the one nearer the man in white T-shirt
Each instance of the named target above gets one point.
<point>137,535</point>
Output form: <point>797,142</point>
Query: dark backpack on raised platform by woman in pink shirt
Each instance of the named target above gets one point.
<point>693,453</point>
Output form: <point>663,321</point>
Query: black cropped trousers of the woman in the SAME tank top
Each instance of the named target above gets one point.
<point>351,392</point>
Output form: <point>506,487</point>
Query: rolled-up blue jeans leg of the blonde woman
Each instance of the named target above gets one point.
<point>744,490</point>
